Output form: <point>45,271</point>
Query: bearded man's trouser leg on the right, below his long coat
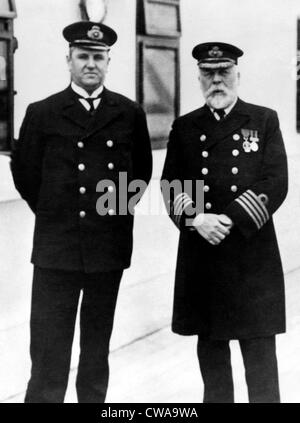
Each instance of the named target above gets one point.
<point>261,370</point>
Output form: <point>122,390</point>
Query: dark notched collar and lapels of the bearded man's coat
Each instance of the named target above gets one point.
<point>217,131</point>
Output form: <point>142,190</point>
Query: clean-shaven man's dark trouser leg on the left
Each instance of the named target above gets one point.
<point>55,297</point>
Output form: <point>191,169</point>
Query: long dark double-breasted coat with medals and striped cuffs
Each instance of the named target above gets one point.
<point>234,290</point>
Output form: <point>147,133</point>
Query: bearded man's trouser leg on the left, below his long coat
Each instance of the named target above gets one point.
<point>215,366</point>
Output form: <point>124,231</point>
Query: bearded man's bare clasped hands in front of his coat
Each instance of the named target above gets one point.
<point>213,227</point>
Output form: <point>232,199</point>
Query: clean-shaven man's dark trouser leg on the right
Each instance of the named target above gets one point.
<point>96,322</point>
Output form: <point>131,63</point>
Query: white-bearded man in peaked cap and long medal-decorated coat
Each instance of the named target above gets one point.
<point>229,280</point>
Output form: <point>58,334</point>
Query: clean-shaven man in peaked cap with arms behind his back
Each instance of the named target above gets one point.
<point>68,143</point>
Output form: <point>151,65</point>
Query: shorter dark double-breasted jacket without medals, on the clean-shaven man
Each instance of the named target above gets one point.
<point>62,154</point>
